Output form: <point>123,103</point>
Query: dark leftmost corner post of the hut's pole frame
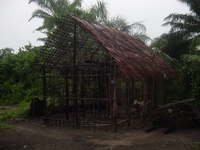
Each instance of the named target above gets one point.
<point>44,90</point>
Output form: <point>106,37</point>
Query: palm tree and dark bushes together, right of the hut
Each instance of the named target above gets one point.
<point>181,47</point>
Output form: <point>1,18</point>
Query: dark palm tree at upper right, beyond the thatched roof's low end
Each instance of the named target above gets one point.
<point>185,29</point>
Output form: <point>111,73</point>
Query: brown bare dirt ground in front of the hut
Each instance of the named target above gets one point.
<point>34,135</point>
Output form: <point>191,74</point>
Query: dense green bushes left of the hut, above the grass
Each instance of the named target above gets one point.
<point>16,76</point>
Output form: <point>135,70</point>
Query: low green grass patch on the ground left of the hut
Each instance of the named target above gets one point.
<point>21,110</point>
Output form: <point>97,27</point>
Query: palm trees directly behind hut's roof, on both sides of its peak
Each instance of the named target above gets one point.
<point>51,12</point>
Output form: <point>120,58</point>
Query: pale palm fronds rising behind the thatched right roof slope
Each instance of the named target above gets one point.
<point>99,13</point>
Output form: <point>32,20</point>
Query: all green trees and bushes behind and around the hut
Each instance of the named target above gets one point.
<point>180,48</point>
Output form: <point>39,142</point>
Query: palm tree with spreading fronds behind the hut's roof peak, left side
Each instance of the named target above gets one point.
<point>51,12</point>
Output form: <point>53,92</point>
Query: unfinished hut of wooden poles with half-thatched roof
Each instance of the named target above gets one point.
<point>98,77</point>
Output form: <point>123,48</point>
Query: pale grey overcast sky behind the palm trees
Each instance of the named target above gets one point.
<point>16,31</point>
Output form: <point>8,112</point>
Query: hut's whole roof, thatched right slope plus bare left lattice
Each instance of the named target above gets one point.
<point>133,58</point>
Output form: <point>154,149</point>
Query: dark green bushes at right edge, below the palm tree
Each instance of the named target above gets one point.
<point>187,84</point>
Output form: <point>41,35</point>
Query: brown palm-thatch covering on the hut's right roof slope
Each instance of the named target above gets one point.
<point>133,58</point>
